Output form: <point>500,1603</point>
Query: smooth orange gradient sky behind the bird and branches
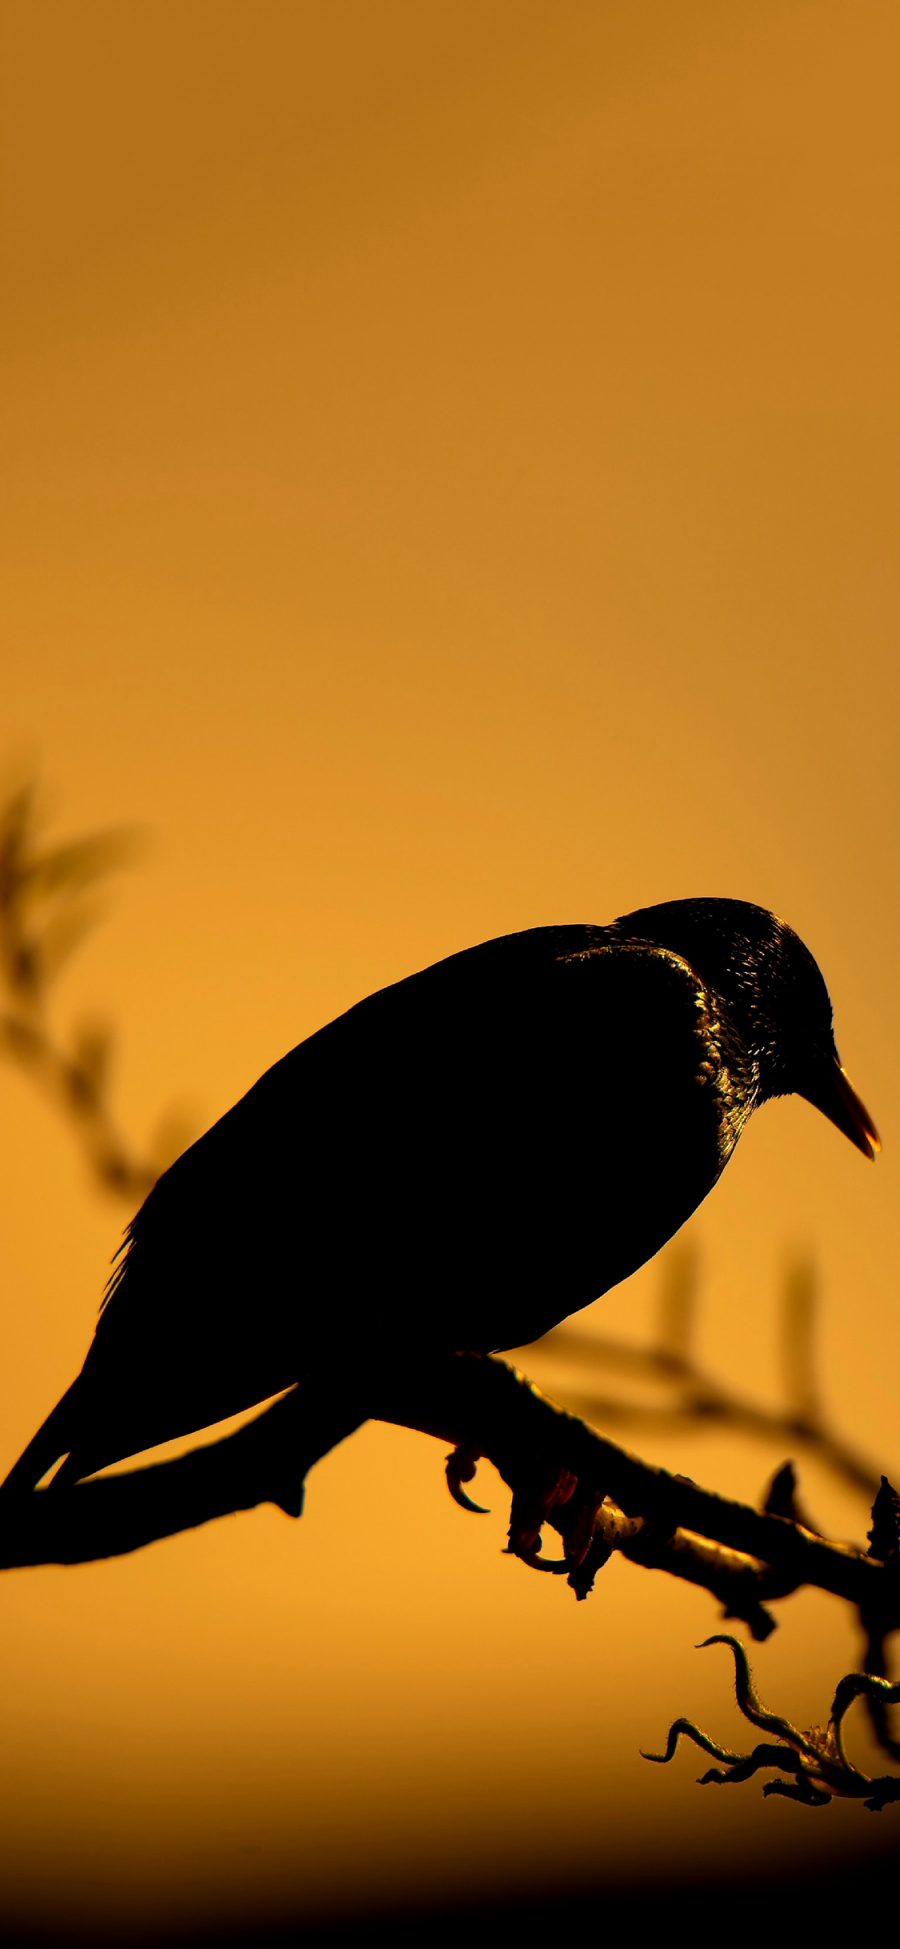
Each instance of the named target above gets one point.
<point>449,484</point>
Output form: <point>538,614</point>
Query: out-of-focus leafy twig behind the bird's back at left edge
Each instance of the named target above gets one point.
<point>48,907</point>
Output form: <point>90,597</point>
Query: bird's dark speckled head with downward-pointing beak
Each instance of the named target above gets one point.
<point>774,995</point>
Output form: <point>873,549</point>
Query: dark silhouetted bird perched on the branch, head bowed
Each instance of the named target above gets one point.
<point>457,1165</point>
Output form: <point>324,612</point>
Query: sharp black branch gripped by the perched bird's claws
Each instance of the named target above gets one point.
<point>743,1556</point>
